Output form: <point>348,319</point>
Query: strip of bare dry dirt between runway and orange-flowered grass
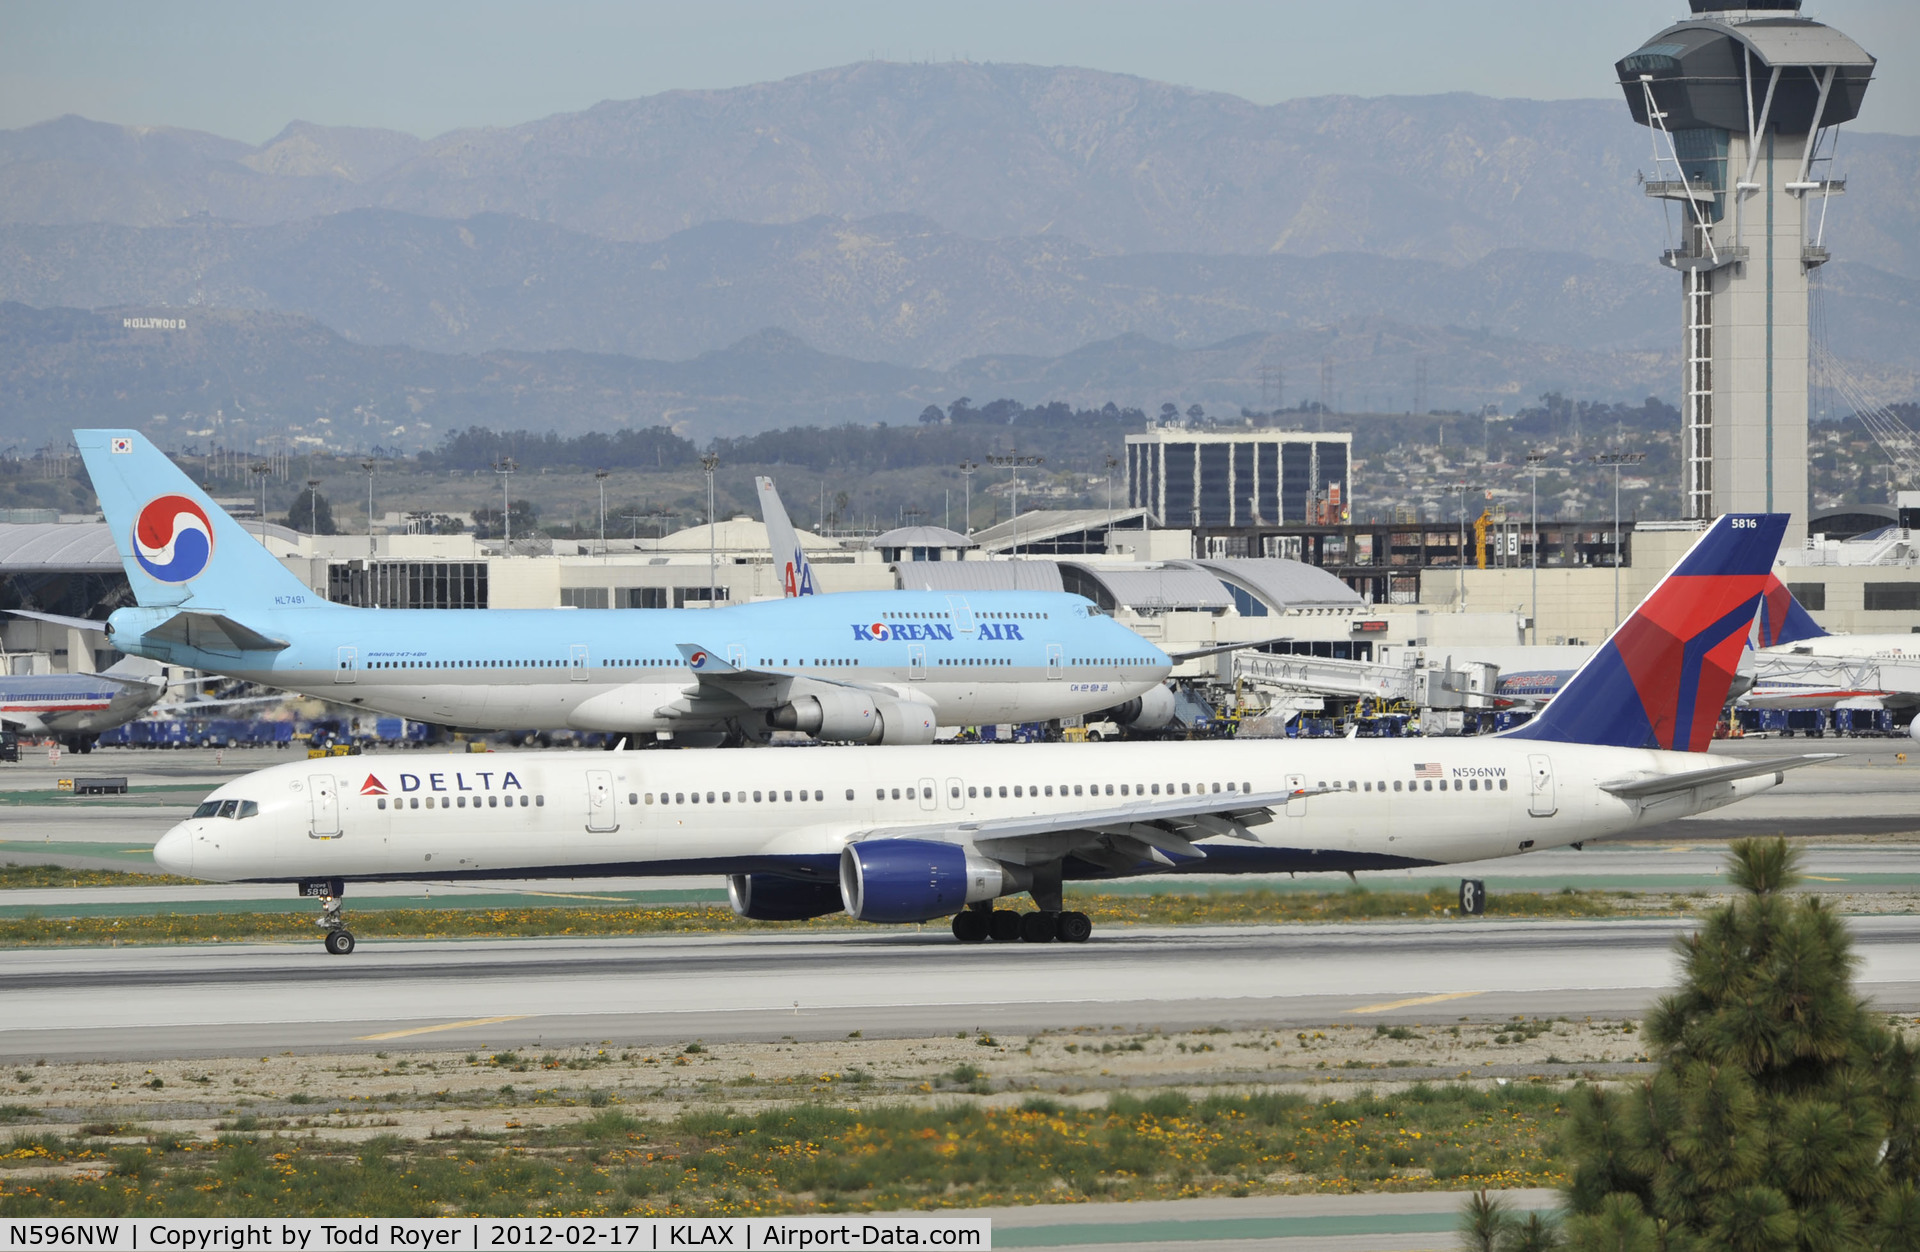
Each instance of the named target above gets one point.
<point>423,1094</point>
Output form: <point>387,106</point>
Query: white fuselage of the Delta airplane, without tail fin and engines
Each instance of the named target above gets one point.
<point>437,817</point>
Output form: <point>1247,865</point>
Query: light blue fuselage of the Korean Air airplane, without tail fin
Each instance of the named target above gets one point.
<point>972,660</point>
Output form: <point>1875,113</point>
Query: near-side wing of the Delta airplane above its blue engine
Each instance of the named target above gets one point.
<point>1115,836</point>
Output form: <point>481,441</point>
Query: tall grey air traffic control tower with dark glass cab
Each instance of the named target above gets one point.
<point>1744,107</point>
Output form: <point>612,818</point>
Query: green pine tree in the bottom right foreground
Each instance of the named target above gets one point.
<point>1785,1113</point>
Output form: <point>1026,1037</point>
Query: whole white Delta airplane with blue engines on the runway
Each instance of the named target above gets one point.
<point>913,834</point>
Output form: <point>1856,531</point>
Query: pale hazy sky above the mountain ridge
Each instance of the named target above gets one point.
<point>431,66</point>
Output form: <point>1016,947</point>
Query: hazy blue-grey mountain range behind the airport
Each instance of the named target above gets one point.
<point>855,243</point>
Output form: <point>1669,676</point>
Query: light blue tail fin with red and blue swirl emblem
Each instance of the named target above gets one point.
<point>178,546</point>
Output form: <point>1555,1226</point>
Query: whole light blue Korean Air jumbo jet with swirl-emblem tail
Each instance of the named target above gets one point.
<point>869,667</point>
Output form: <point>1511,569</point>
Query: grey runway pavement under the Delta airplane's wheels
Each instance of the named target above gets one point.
<point>166,1001</point>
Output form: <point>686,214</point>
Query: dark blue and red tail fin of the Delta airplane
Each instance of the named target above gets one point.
<point>1662,679</point>
